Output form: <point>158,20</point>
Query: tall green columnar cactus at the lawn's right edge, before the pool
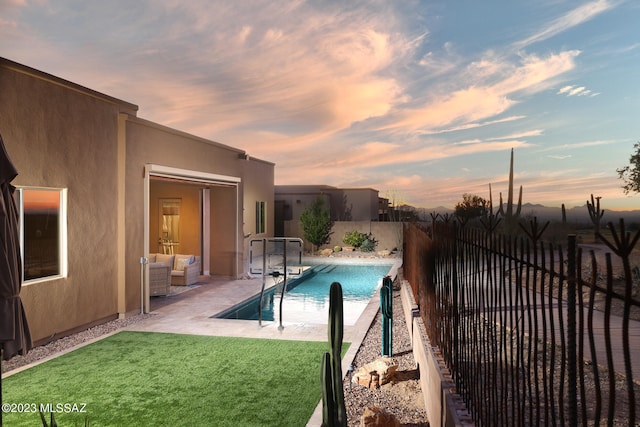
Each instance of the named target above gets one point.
<point>333,410</point>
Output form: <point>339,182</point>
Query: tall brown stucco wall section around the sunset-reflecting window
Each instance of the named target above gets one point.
<point>61,135</point>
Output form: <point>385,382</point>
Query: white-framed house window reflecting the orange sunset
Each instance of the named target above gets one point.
<point>43,233</point>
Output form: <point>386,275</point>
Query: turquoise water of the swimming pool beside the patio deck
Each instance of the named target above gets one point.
<point>307,298</point>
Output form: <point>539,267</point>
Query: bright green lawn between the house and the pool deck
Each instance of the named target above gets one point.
<point>145,379</point>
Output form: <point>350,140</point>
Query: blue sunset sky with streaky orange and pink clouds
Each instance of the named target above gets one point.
<point>420,99</point>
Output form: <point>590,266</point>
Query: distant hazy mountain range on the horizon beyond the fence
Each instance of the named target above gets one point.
<point>578,214</point>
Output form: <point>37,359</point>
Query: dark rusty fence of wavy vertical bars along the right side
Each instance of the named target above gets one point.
<point>532,333</point>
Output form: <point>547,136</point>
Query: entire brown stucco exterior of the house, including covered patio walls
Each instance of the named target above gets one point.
<point>62,135</point>
